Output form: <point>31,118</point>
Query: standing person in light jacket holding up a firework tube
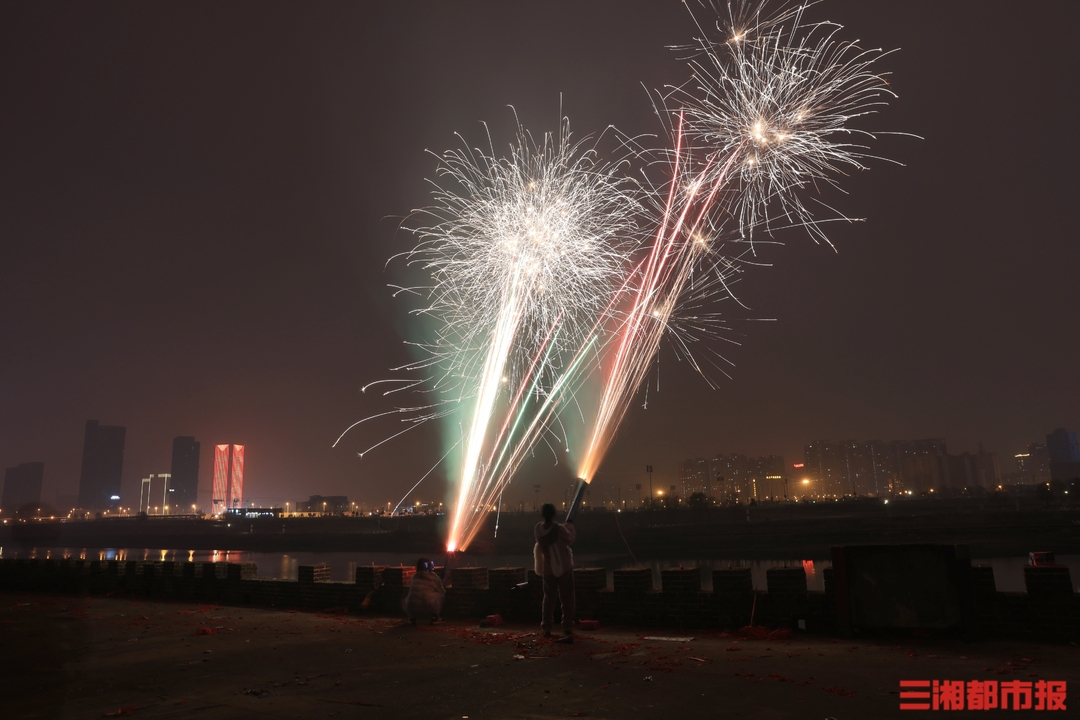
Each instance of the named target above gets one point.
<point>556,565</point>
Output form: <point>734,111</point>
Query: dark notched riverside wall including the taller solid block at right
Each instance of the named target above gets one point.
<point>881,587</point>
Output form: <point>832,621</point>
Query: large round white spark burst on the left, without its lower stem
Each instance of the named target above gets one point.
<point>537,239</point>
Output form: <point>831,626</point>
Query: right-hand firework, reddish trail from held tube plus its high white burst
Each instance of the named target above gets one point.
<point>763,107</point>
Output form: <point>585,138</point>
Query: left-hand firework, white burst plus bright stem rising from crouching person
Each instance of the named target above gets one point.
<point>524,260</point>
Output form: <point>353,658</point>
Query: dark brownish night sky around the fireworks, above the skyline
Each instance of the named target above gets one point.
<point>198,200</point>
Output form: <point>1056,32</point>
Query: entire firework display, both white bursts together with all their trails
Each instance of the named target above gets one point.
<point>539,280</point>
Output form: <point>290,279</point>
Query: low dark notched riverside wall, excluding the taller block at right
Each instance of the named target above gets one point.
<point>1050,609</point>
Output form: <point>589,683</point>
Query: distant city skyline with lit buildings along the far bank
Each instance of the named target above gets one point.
<point>955,470</point>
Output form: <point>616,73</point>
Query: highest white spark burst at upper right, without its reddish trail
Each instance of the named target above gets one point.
<point>779,96</point>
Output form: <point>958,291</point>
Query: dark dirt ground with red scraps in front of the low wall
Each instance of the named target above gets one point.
<point>93,658</point>
